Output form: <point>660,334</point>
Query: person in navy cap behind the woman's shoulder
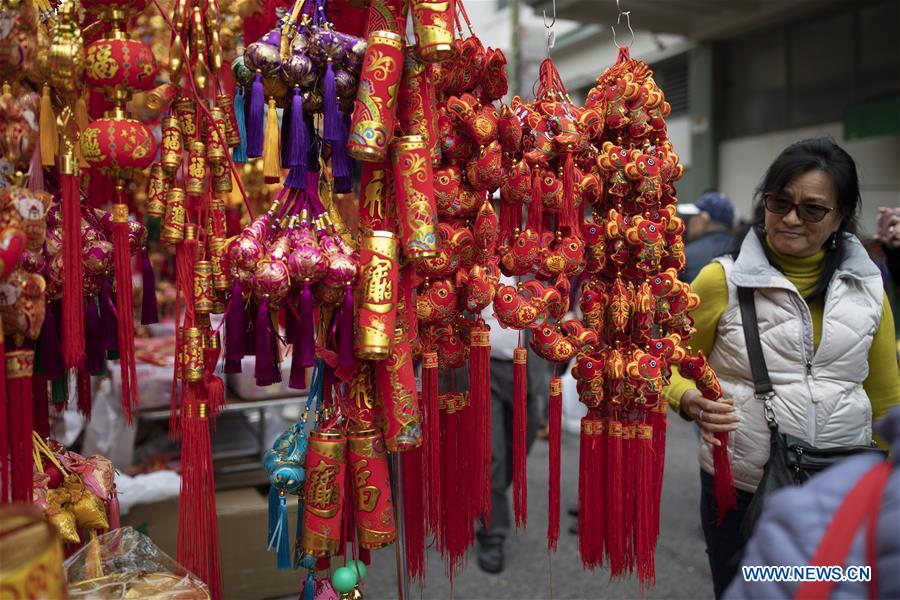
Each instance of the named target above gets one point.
<point>708,233</point>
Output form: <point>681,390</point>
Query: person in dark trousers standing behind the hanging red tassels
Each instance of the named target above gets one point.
<point>503,342</point>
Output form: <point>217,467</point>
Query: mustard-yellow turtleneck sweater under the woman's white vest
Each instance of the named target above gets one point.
<point>883,383</point>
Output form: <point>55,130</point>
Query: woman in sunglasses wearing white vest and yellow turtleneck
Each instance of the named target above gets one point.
<point>814,283</point>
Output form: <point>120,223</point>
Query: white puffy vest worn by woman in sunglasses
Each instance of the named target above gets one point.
<point>819,397</point>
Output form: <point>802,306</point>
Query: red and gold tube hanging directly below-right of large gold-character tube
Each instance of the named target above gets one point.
<point>395,383</point>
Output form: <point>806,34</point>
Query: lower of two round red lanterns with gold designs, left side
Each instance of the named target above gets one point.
<point>118,143</point>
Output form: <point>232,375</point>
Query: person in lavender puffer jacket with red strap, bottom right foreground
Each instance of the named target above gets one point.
<point>794,521</point>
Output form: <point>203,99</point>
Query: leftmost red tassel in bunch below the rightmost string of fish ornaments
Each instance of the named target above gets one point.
<point>591,503</point>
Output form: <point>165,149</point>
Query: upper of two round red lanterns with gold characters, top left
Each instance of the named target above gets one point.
<point>128,63</point>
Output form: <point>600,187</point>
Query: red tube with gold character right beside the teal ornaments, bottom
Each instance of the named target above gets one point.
<point>324,493</point>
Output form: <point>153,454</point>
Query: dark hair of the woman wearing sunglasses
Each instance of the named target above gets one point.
<point>818,154</point>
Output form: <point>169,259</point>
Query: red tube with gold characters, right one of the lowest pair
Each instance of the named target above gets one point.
<point>375,527</point>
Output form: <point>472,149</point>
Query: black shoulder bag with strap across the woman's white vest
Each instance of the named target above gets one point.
<point>791,460</point>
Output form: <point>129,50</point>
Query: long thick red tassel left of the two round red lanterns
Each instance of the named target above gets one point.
<point>73,298</point>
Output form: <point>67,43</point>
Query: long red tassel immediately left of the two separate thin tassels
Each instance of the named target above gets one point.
<point>480,406</point>
